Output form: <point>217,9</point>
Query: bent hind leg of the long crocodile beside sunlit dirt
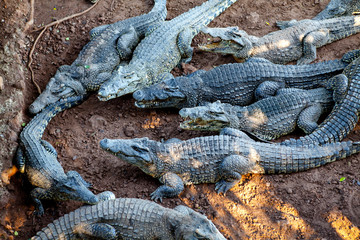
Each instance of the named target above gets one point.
<point>231,170</point>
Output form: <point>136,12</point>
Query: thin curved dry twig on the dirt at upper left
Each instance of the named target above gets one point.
<point>42,32</point>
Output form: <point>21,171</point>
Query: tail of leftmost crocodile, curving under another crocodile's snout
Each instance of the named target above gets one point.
<point>37,125</point>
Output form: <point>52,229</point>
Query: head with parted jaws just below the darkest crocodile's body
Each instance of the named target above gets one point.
<point>211,117</point>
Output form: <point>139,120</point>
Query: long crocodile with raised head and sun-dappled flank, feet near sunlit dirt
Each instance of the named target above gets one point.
<point>220,159</point>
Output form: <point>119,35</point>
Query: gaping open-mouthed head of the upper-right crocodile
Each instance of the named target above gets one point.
<point>232,41</point>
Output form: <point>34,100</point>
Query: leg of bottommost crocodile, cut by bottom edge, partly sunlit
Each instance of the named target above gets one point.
<point>96,231</point>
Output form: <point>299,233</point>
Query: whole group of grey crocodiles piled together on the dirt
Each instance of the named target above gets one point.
<point>260,97</point>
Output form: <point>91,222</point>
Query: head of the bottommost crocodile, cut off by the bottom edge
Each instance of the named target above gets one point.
<point>192,225</point>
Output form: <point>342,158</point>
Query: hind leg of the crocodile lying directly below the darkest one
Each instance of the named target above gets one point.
<point>308,118</point>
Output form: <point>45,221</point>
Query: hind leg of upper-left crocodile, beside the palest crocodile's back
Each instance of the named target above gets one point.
<point>127,42</point>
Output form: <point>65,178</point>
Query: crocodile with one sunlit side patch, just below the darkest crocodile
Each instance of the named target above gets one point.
<point>267,119</point>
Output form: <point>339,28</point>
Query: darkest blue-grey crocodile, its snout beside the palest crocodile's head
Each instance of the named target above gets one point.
<point>236,83</point>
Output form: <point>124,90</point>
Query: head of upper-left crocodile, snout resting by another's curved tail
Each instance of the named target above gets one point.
<point>64,84</point>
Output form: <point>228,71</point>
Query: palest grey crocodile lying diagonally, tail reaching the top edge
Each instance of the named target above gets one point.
<point>165,46</point>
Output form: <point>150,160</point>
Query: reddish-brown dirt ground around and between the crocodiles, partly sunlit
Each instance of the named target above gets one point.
<point>307,205</point>
